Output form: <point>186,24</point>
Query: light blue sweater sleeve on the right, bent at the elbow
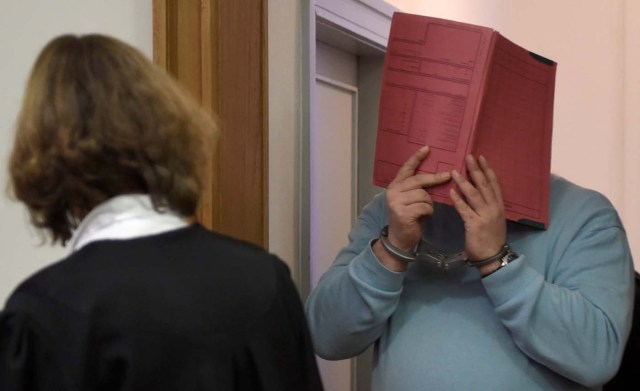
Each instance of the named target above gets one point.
<point>575,316</point>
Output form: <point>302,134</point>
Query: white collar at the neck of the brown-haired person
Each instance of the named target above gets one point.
<point>124,217</point>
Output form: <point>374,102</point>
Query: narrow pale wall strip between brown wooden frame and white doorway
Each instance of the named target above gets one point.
<point>284,124</point>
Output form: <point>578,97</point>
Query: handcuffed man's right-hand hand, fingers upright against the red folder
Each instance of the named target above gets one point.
<point>482,210</point>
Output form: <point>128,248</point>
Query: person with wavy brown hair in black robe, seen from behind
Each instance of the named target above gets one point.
<point>109,159</point>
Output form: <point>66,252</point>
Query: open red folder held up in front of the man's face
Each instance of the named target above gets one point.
<point>466,89</point>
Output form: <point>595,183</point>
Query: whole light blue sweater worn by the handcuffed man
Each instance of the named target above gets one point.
<point>556,318</point>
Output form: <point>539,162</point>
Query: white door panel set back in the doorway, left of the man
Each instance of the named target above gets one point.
<point>333,176</point>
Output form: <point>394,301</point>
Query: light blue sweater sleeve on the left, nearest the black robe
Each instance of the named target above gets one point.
<point>349,307</point>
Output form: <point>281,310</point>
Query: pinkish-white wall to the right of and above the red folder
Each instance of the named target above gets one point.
<point>596,44</point>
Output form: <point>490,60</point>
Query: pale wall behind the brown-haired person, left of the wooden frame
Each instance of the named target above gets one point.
<point>25,27</point>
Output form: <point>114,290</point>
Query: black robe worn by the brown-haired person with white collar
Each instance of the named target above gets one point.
<point>183,310</point>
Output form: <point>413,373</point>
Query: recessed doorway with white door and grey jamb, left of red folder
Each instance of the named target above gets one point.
<point>345,81</point>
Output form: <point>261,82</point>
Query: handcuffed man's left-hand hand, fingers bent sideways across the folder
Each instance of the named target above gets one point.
<point>408,203</point>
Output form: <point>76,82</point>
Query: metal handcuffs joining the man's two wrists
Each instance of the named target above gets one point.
<point>441,259</point>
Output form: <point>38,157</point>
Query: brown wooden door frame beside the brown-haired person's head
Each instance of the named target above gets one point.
<point>217,50</point>
